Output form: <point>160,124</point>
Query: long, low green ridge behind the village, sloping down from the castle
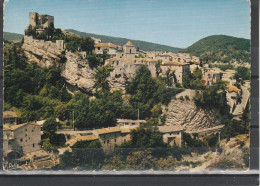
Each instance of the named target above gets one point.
<point>143,45</point>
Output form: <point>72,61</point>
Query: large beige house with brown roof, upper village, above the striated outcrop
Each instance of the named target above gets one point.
<point>179,69</point>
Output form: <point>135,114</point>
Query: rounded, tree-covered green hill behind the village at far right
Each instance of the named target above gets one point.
<point>221,48</point>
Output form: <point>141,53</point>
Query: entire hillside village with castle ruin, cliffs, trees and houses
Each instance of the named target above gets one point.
<point>86,104</point>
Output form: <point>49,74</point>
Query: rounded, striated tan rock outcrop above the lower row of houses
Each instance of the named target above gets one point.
<point>186,113</point>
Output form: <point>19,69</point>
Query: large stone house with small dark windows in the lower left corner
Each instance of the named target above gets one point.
<point>23,137</point>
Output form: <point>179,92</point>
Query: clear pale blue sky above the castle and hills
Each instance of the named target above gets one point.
<point>177,23</point>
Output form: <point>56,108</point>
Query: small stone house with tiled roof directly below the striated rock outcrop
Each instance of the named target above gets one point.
<point>172,135</point>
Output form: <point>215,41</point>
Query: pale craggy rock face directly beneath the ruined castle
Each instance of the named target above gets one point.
<point>43,52</point>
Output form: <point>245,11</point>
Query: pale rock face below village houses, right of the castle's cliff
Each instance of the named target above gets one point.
<point>77,73</point>
